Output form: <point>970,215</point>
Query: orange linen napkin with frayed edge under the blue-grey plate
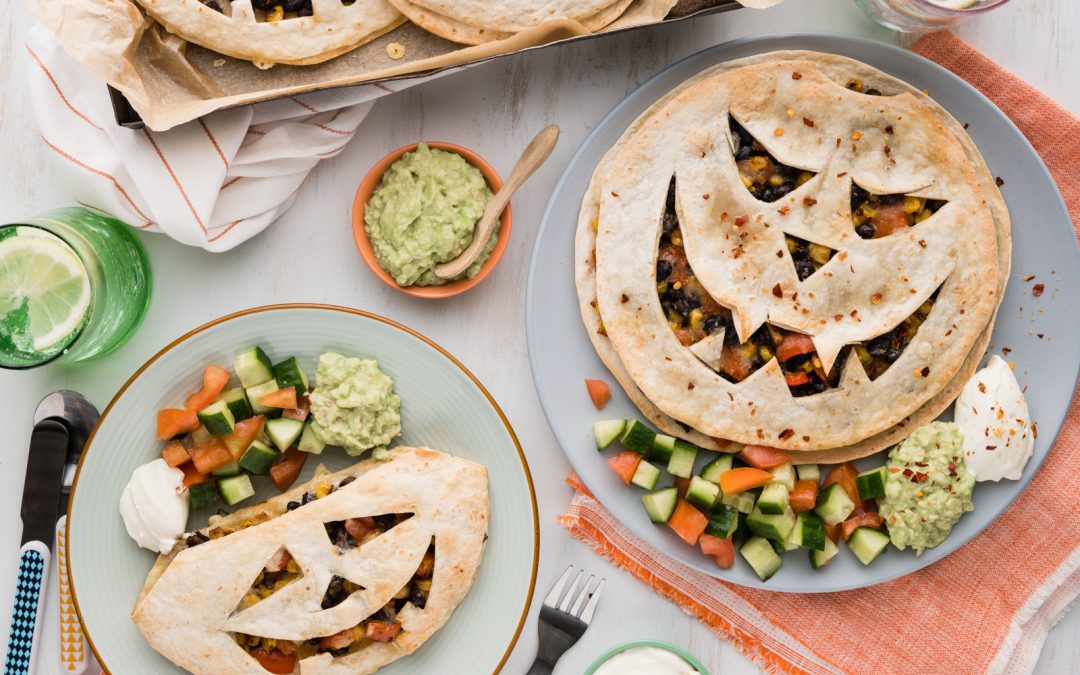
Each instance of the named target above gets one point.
<point>987,607</point>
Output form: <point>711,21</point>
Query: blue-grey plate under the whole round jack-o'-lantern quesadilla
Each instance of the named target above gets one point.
<point>1041,332</point>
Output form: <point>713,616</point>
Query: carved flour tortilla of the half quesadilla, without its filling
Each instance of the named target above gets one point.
<point>187,610</point>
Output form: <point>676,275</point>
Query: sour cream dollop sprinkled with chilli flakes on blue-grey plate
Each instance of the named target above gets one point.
<point>994,418</point>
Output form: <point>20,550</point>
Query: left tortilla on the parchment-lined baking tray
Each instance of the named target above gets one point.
<point>333,30</point>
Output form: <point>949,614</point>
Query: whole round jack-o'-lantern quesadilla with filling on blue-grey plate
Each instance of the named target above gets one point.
<point>793,250</point>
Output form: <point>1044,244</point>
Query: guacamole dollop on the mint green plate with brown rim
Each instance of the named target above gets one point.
<point>355,404</point>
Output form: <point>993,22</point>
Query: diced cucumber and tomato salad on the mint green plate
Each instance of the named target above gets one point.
<point>252,422</point>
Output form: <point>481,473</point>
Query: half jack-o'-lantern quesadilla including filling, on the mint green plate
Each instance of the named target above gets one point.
<point>343,575</point>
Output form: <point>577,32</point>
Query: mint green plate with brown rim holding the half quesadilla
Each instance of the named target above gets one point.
<point>443,408</point>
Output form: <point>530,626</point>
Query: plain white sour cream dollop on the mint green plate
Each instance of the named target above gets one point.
<point>155,506</point>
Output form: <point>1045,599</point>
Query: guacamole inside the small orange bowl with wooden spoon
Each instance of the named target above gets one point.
<point>424,213</point>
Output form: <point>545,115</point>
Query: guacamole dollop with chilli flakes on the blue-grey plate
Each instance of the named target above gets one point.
<point>927,488</point>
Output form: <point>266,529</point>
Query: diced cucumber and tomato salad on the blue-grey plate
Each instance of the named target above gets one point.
<point>758,502</point>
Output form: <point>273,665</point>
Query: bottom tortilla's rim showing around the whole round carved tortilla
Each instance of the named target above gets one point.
<point>840,70</point>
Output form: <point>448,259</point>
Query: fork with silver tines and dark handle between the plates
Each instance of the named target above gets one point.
<point>561,625</point>
